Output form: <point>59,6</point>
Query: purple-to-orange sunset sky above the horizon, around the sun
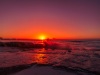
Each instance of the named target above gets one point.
<point>68,19</point>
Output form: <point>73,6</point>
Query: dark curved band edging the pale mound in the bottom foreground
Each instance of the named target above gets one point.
<point>16,69</point>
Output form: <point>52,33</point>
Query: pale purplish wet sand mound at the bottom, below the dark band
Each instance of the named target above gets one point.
<point>49,70</point>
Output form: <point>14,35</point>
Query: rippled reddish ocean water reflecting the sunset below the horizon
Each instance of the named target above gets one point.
<point>84,56</point>
